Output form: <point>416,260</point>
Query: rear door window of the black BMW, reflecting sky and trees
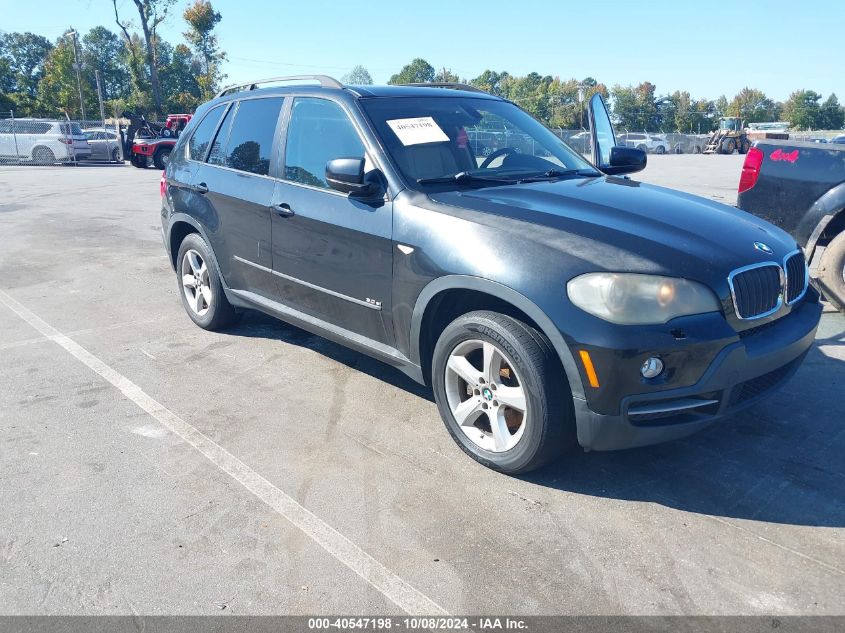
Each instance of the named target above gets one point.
<point>250,143</point>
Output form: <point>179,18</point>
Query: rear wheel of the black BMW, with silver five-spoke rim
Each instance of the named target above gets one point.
<point>200,286</point>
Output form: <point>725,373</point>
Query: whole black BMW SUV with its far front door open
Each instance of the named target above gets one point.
<point>548,301</point>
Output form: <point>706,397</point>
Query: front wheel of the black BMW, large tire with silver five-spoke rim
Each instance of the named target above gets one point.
<point>500,392</point>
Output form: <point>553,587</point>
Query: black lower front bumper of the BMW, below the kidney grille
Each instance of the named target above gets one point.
<point>743,372</point>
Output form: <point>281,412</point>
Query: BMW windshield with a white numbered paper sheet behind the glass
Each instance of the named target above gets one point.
<point>468,141</point>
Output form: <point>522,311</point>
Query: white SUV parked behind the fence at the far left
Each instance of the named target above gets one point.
<point>43,141</point>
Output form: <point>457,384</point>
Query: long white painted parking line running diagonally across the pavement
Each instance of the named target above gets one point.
<point>344,550</point>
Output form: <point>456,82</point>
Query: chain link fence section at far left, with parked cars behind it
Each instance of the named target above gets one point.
<point>51,141</point>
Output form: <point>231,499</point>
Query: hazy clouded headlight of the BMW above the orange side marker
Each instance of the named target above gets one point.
<point>634,299</point>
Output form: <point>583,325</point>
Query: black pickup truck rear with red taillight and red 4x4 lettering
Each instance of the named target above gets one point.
<point>800,187</point>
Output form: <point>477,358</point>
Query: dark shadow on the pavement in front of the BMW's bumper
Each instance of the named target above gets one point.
<point>780,461</point>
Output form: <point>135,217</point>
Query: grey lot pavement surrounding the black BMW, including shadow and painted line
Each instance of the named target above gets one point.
<point>150,467</point>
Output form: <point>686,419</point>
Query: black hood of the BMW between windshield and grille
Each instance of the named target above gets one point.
<point>623,224</point>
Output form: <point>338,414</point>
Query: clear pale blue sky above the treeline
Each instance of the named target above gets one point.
<point>708,48</point>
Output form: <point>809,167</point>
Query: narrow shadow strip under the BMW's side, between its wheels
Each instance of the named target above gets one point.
<point>258,325</point>
